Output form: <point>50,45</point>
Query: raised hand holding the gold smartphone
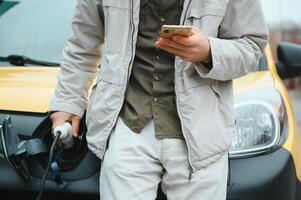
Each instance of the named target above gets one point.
<point>195,48</point>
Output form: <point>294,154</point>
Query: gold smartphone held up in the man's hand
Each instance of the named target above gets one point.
<point>168,31</point>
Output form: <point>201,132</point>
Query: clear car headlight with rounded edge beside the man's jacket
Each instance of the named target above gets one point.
<point>258,123</point>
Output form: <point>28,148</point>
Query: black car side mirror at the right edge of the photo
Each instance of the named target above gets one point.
<point>289,60</point>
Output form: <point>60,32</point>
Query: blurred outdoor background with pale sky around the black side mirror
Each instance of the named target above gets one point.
<point>284,18</point>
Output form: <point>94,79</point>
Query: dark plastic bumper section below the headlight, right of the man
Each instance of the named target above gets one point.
<point>270,176</point>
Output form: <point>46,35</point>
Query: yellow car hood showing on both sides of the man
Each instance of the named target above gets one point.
<point>30,89</point>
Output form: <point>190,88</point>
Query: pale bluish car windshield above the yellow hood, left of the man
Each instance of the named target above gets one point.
<point>39,29</point>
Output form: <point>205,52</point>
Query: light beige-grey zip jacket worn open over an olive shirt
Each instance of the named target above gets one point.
<point>237,35</point>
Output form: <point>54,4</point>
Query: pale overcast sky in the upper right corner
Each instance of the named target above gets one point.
<point>283,13</point>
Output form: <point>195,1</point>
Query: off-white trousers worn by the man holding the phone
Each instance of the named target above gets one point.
<point>134,164</point>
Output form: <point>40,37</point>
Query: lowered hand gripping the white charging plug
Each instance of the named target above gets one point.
<point>59,118</point>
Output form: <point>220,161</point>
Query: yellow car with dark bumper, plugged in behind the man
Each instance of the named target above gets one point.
<point>265,157</point>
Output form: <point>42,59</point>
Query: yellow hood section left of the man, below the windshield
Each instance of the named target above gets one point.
<point>27,89</point>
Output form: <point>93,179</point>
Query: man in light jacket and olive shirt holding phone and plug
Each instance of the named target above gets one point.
<point>161,109</point>
